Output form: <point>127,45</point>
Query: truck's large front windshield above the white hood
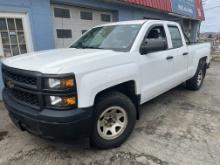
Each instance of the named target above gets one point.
<point>117,37</point>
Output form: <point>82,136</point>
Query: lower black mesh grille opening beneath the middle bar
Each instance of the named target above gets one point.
<point>25,97</point>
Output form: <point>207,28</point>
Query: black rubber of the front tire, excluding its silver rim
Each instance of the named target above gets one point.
<point>113,99</point>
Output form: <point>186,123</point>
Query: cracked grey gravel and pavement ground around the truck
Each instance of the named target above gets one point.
<point>179,127</point>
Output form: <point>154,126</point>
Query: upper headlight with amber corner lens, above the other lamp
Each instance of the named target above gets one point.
<point>59,84</point>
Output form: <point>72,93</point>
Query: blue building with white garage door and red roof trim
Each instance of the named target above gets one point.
<point>34,25</point>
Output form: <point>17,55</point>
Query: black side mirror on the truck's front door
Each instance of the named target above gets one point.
<point>153,45</point>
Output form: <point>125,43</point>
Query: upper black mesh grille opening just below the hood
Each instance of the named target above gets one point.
<point>28,80</point>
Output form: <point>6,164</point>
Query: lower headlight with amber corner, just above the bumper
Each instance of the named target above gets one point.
<point>59,101</point>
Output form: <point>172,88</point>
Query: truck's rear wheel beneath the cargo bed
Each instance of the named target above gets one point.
<point>196,82</point>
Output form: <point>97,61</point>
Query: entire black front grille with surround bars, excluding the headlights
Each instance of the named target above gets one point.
<point>25,87</point>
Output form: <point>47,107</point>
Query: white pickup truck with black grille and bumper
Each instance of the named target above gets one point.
<point>95,87</point>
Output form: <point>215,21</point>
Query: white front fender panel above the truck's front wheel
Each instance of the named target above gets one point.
<point>90,84</point>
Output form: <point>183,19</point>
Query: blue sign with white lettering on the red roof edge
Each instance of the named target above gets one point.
<point>184,7</point>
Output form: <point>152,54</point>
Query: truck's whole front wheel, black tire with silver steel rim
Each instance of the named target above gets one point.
<point>115,119</point>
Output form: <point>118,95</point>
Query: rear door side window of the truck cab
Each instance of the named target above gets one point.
<point>175,37</point>
